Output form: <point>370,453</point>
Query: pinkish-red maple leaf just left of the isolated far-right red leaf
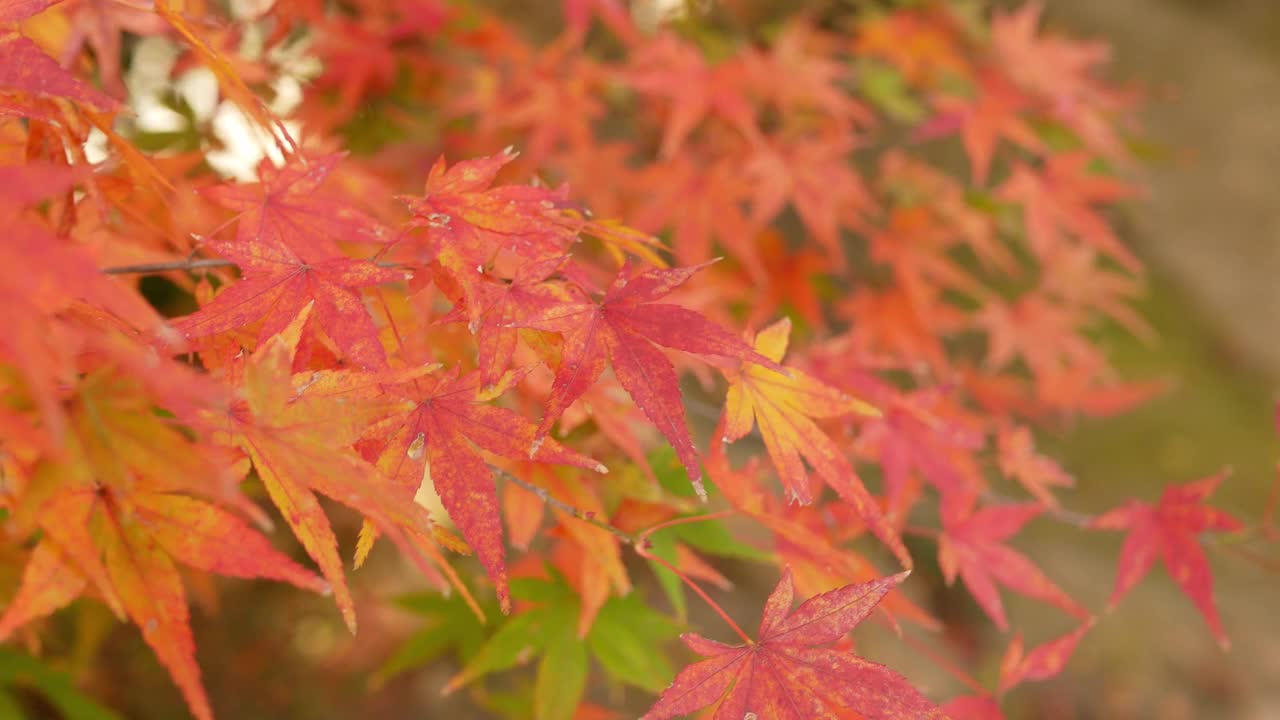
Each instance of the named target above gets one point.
<point>971,548</point>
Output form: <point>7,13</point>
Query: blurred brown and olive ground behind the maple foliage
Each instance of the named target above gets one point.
<point>1210,234</point>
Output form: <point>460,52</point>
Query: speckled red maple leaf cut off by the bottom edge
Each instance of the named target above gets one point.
<point>788,675</point>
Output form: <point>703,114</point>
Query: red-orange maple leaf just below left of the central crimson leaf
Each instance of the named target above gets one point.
<point>437,441</point>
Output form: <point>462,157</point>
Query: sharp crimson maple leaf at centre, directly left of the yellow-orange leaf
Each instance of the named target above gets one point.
<point>624,329</point>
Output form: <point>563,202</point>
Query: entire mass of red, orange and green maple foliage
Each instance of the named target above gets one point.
<point>598,312</point>
